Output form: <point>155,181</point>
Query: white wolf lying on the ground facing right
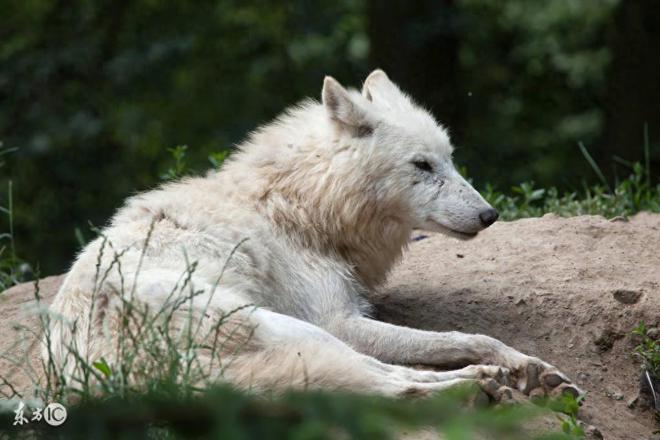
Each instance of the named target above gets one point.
<point>327,196</point>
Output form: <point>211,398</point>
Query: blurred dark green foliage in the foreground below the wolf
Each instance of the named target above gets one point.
<point>223,412</point>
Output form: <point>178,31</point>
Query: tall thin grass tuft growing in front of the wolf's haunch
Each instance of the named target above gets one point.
<point>161,349</point>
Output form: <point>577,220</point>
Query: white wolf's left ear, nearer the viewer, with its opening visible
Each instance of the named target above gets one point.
<point>346,109</point>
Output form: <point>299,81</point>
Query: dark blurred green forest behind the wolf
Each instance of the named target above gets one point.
<point>93,93</point>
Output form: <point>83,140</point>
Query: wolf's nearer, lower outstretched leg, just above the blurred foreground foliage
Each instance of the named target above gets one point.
<point>290,353</point>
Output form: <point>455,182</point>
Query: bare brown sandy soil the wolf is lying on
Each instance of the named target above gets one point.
<point>566,290</point>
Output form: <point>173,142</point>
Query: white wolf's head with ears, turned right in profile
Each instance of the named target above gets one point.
<point>414,155</point>
